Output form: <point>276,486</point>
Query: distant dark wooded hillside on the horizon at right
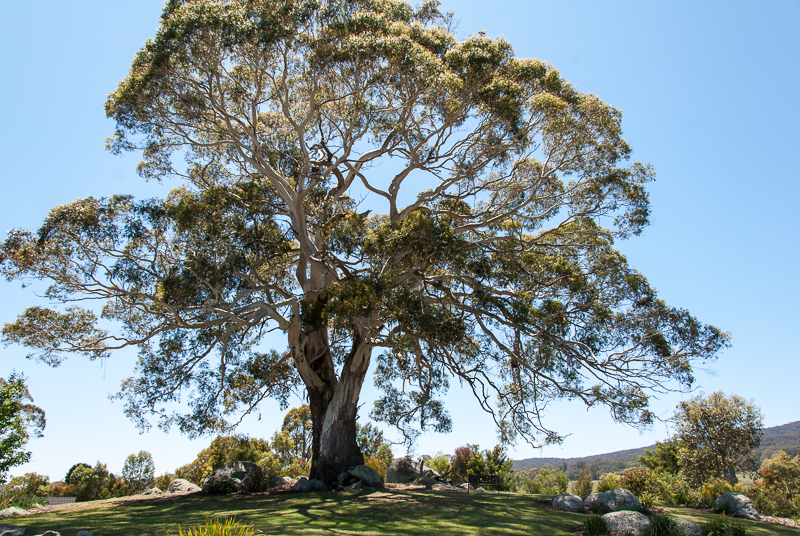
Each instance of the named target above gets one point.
<point>785,437</point>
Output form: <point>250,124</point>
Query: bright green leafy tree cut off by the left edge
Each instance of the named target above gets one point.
<point>16,419</point>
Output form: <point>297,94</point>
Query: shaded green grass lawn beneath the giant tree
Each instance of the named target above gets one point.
<point>364,513</point>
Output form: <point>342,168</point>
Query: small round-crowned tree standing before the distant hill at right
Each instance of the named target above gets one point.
<point>717,435</point>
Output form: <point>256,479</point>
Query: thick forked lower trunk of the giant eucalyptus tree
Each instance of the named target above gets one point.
<point>333,401</point>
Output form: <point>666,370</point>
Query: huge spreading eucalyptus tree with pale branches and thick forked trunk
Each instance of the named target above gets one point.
<point>390,198</point>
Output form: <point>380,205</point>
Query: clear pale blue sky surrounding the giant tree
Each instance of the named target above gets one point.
<point>709,97</point>
